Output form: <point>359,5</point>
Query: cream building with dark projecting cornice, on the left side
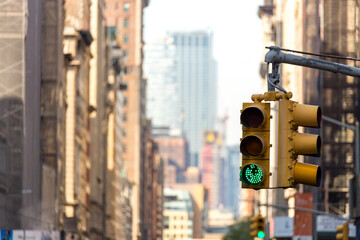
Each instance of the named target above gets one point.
<point>77,41</point>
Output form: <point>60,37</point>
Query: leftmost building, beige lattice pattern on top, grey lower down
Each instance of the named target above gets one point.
<point>17,152</point>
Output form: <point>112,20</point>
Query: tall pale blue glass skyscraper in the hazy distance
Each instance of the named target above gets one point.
<point>196,76</point>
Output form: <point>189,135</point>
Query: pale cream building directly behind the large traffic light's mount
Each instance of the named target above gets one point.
<point>286,18</point>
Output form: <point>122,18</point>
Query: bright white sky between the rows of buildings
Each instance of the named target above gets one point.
<point>237,45</point>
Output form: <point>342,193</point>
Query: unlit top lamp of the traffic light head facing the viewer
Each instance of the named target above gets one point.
<point>253,117</point>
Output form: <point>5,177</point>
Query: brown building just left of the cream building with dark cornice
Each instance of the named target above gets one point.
<point>52,108</point>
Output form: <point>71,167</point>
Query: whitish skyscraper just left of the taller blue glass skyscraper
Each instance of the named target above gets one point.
<point>163,89</point>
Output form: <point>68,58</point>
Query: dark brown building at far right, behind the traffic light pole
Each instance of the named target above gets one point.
<point>339,100</point>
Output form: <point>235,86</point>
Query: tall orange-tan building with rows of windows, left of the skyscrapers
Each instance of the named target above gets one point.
<point>127,17</point>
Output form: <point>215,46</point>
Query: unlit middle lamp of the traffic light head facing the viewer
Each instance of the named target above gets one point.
<point>253,145</point>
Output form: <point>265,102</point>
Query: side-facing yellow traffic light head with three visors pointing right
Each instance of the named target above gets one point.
<point>291,143</point>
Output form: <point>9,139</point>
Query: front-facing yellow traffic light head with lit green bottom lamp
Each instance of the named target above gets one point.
<point>255,144</point>
